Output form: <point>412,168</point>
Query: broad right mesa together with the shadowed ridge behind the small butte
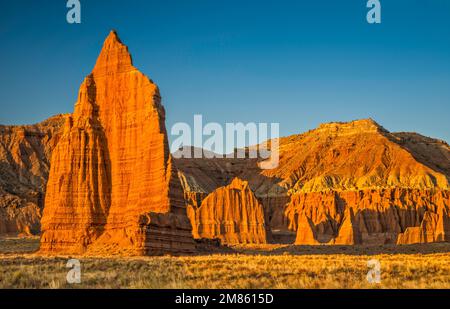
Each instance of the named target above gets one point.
<point>344,183</point>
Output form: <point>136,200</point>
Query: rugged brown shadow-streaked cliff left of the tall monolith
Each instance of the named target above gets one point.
<point>24,168</point>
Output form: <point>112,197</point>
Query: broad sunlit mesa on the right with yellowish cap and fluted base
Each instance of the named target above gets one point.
<point>392,183</point>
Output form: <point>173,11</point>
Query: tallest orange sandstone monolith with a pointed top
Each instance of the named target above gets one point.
<point>111,188</point>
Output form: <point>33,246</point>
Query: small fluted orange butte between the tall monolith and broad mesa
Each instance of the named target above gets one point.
<point>231,214</point>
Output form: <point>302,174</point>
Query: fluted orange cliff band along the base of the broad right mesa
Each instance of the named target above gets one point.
<point>370,216</point>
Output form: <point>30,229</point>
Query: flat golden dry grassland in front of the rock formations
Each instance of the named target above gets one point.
<point>259,267</point>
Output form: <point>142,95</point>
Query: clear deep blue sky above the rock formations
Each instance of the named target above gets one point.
<point>299,63</point>
